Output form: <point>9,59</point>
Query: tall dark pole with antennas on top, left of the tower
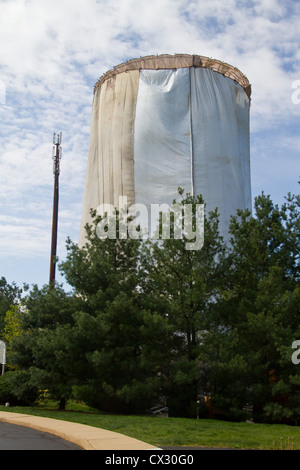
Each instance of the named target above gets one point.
<point>56,160</point>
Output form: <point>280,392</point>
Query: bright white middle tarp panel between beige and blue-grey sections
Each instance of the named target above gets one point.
<point>162,134</point>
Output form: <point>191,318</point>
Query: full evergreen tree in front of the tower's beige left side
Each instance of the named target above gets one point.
<point>120,341</point>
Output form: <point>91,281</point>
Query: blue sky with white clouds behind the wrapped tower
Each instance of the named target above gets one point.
<point>53,52</point>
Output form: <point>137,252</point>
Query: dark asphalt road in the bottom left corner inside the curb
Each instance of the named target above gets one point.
<point>14,437</point>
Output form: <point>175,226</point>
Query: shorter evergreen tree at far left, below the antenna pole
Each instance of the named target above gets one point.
<point>40,351</point>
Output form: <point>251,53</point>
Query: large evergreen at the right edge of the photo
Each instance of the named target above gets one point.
<point>257,318</point>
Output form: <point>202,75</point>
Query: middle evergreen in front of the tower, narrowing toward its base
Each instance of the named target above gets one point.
<point>183,286</point>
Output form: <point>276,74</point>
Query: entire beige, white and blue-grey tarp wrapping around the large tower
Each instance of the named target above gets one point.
<point>153,131</point>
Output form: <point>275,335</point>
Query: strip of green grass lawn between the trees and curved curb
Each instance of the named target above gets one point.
<point>180,431</point>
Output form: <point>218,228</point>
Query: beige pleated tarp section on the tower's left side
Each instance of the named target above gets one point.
<point>110,160</point>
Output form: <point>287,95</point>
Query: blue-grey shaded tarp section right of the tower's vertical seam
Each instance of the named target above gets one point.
<point>220,129</point>
